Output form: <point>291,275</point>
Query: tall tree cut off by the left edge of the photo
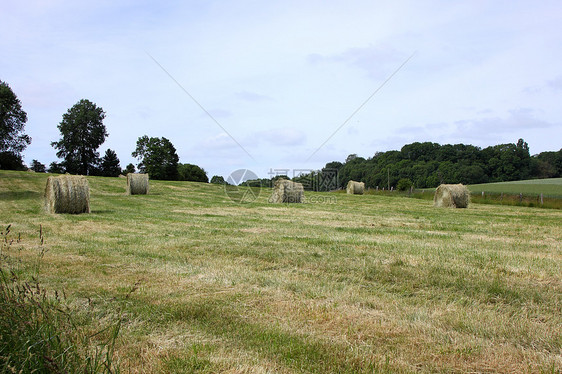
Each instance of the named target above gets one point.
<point>12,123</point>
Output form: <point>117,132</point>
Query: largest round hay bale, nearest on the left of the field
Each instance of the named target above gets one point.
<point>67,194</point>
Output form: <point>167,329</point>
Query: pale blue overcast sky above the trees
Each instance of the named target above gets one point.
<point>266,85</point>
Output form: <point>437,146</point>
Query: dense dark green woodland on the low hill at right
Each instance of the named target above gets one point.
<point>428,164</point>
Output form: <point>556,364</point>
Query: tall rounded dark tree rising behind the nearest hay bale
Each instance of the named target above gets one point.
<point>82,132</point>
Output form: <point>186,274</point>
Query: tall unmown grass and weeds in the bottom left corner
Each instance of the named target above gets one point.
<point>40,333</point>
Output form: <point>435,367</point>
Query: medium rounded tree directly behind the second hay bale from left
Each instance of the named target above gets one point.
<point>157,157</point>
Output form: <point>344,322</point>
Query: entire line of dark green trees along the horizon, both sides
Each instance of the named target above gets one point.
<point>419,165</point>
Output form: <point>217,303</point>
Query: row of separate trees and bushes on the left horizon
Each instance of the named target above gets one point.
<point>82,133</point>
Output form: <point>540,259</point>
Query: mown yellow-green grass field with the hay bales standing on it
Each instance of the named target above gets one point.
<point>344,284</point>
